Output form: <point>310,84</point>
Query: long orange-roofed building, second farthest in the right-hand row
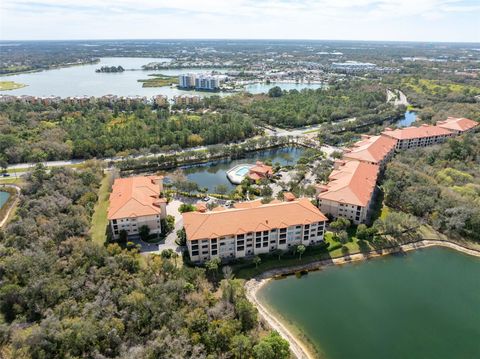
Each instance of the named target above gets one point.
<point>414,137</point>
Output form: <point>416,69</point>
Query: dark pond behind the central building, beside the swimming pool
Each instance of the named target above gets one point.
<point>212,174</point>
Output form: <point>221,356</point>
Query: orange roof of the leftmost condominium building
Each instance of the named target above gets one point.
<point>135,197</point>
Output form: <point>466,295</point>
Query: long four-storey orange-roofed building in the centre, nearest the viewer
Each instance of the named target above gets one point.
<point>252,228</point>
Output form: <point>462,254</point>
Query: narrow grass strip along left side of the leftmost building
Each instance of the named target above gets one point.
<point>99,218</point>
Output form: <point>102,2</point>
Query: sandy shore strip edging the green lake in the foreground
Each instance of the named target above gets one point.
<point>299,349</point>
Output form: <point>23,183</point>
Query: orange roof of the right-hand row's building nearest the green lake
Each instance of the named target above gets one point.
<point>352,183</point>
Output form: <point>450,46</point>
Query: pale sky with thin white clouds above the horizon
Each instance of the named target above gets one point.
<point>392,20</point>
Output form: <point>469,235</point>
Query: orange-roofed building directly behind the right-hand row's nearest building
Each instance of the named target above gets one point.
<point>376,150</point>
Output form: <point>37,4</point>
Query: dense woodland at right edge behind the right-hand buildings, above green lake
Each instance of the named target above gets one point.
<point>440,185</point>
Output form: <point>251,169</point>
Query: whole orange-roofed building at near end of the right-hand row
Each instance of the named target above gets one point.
<point>350,190</point>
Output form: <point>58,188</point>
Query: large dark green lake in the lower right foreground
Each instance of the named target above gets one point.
<point>422,305</point>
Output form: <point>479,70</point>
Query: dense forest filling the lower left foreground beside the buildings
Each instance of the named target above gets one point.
<point>63,296</point>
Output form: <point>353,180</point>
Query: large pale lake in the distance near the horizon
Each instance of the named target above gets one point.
<point>82,80</point>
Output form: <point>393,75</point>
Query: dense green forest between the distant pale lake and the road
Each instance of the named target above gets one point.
<point>38,132</point>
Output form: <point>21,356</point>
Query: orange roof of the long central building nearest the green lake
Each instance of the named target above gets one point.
<point>250,218</point>
